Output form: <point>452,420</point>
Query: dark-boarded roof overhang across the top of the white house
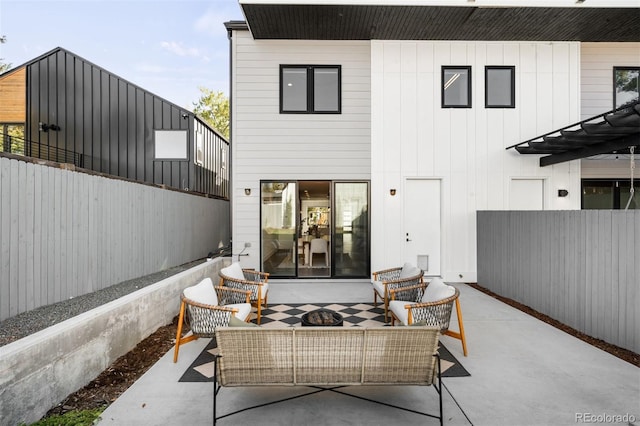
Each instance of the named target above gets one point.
<point>489,20</point>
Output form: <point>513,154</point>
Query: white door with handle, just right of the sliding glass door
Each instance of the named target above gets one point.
<point>422,225</point>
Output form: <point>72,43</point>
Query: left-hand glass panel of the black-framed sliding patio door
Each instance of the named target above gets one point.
<point>278,223</point>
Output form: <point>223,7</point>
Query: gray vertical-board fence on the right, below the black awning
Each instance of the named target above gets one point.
<point>581,268</point>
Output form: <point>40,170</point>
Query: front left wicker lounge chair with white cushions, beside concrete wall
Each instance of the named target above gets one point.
<point>208,307</point>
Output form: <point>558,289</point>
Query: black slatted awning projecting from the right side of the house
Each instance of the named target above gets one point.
<point>613,131</point>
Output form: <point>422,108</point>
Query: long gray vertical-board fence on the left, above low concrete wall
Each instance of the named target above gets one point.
<point>65,233</point>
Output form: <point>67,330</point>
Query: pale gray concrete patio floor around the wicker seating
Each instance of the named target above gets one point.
<point>523,372</point>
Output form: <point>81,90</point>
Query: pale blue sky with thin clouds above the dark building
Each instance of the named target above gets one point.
<point>168,47</point>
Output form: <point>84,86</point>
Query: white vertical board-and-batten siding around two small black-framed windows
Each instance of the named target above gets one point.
<point>412,136</point>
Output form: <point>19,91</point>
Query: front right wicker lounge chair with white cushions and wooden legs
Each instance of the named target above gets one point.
<point>415,304</point>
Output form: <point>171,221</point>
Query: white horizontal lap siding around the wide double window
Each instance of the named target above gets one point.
<point>269,145</point>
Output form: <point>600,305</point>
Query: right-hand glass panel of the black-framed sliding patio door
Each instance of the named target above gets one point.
<point>351,229</point>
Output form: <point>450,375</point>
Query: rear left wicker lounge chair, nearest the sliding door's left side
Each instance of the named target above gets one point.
<point>247,279</point>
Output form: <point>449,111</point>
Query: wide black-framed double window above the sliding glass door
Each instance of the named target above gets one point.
<point>310,89</point>
